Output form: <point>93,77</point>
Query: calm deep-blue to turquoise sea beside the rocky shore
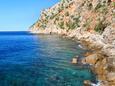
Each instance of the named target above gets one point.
<point>40,60</point>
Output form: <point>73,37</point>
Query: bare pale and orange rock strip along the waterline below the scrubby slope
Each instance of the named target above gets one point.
<point>95,42</point>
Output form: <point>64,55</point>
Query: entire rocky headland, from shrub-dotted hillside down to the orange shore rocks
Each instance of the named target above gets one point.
<point>90,21</point>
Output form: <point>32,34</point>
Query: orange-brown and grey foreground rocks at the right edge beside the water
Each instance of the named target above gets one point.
<point>103,60</point>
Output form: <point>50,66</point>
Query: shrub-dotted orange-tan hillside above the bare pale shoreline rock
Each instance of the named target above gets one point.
<point>71,14</point>
